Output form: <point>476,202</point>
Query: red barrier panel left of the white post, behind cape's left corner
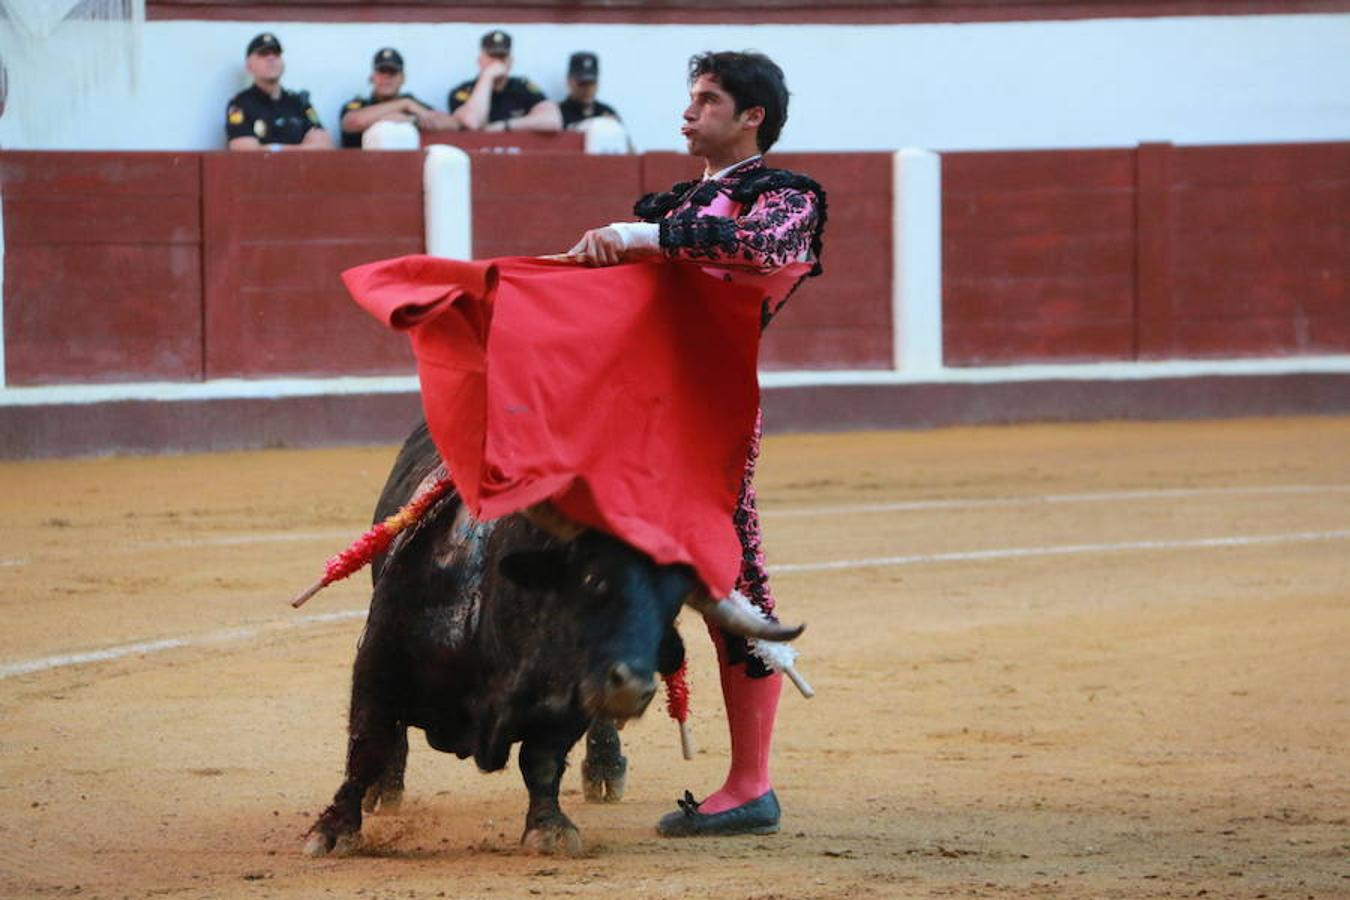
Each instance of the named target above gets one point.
<point>279,231</point>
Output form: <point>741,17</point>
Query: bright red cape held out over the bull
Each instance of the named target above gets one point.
<point>624,395</point>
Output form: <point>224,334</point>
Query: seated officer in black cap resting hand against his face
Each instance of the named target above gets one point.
<point>496,102</point>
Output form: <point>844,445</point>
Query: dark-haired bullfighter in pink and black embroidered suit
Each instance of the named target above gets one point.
<point>749,223</point>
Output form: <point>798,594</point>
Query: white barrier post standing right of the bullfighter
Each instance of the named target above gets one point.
<point>917,254</point>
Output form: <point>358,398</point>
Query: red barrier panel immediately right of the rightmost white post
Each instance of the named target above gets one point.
<point>1037,257</point>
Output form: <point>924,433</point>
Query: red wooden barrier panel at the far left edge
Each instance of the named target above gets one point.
<point>103,268</point>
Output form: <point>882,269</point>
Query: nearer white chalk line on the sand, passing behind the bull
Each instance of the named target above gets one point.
<point>26,667</point>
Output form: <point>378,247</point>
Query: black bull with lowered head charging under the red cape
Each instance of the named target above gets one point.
<point>489,635</point>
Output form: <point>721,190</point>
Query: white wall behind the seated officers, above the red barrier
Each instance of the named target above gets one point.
<point>947,87</point>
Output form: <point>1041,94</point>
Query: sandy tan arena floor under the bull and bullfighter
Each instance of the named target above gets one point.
<point>1044,671</point>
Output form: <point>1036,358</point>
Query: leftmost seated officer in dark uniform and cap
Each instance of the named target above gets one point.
<point>267,117</point>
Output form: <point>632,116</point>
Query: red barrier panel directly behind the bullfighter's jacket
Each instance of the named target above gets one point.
<point>843,319</point>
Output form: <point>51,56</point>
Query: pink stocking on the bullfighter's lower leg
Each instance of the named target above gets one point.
<point>751,708</point>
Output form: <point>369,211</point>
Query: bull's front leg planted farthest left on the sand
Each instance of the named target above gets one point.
<point>373,743</point>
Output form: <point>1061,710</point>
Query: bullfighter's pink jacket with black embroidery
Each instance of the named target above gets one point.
<point>757,225</point>
